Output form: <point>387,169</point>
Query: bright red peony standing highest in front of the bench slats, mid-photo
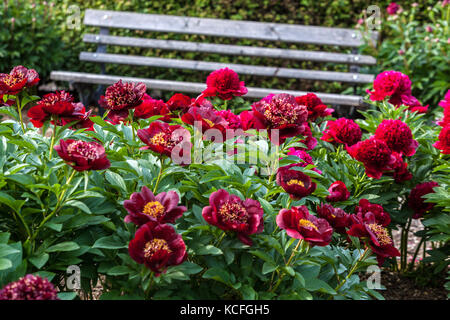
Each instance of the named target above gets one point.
<point>225,84</point>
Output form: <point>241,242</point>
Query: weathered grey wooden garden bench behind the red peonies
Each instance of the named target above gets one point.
<point>291,33</point>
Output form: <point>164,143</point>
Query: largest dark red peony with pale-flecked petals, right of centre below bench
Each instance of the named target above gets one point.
<point>280,112</point>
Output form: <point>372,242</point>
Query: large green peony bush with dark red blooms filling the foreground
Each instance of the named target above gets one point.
<point>62,208</point>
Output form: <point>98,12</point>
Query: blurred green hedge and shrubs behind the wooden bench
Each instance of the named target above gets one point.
<point>36,34</point>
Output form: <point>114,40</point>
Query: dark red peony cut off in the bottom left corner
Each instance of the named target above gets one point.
<point>30,287</point>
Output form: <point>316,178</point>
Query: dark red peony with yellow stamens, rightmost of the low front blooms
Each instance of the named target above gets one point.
<point>379,240</point>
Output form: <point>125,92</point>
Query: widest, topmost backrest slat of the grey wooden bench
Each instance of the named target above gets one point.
<point>226,28</point>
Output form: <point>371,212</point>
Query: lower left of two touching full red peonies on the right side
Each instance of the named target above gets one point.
<point>375,156</point>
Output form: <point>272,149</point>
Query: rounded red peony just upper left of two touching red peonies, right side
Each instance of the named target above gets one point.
<point>342,130</point>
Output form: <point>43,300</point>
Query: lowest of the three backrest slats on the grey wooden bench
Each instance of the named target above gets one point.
<point>239,68</point>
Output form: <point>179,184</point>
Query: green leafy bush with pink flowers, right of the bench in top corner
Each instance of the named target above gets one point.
<point>415,42</point>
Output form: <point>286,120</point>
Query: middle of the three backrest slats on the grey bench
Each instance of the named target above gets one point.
<point>230,49</point>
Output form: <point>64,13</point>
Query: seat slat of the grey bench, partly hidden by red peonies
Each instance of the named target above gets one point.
<point>193,87</point>
